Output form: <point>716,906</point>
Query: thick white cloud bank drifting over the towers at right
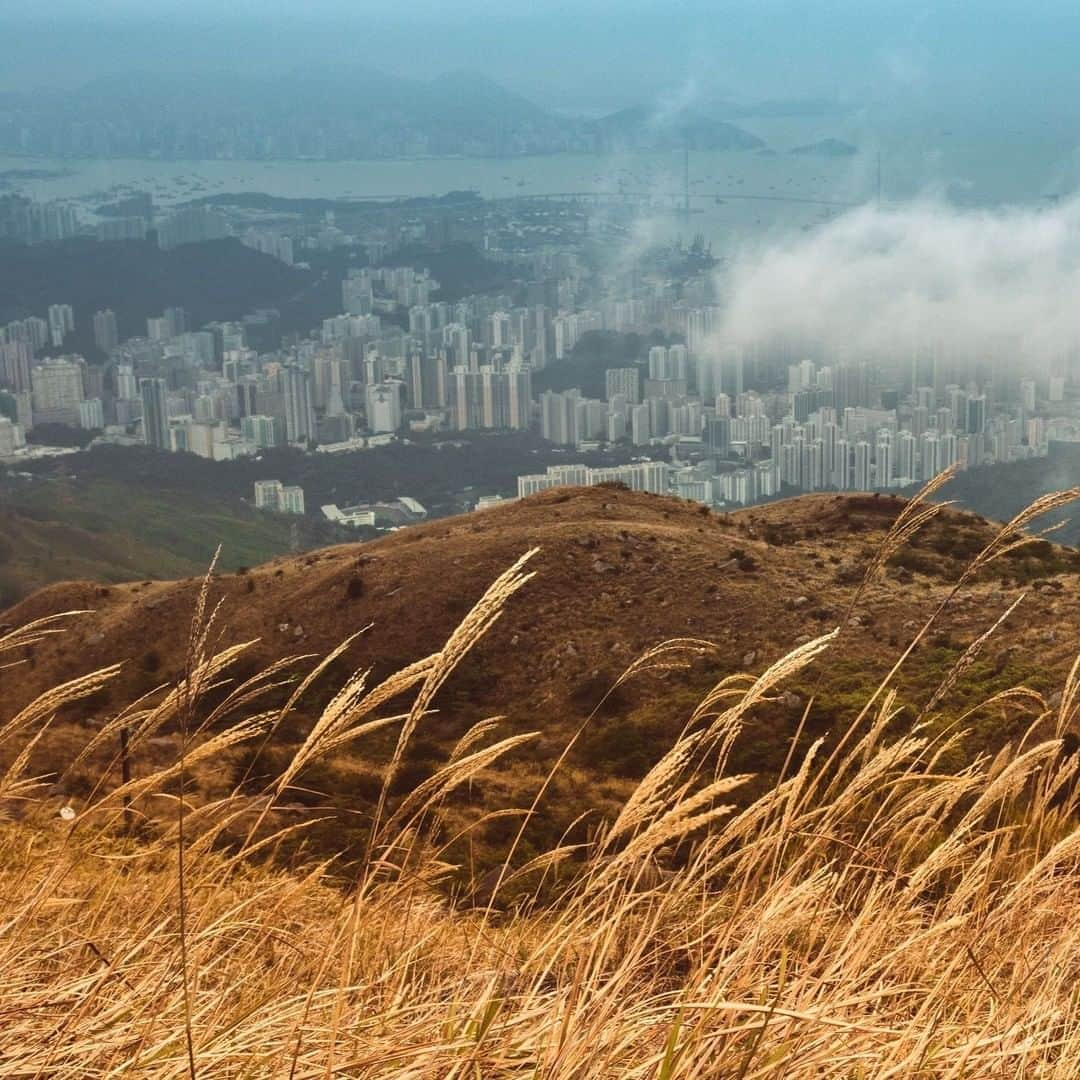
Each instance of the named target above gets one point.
<point>877,283</point>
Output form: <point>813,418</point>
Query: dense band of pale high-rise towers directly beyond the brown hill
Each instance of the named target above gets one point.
<point>728,424</point>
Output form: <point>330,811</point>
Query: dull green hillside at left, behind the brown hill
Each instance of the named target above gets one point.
<point>63,530</point>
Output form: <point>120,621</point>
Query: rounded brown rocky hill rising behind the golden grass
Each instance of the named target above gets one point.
<point>617,573</point>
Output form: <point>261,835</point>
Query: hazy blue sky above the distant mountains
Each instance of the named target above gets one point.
<point>589,55</point>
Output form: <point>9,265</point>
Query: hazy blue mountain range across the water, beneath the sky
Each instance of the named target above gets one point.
<point>328,114</point>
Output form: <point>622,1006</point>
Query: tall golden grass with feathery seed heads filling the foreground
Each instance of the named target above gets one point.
<point>873,915</point>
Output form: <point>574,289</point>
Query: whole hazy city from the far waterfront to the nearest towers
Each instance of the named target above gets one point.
<point>590,356</point>
